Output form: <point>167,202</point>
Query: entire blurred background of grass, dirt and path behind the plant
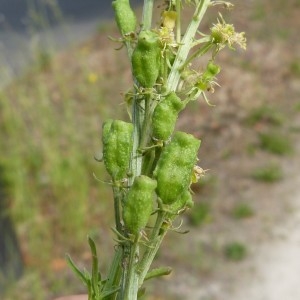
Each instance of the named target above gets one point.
<point>61,76</point>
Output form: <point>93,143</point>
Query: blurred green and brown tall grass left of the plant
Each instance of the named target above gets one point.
<point>50,122</point>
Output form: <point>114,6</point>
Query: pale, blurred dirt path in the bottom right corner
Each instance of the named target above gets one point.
<point>275,265</point>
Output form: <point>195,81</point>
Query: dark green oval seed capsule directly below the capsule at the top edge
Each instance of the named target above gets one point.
<point>146,59</point>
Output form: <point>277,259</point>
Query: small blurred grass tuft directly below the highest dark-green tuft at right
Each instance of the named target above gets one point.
<point>268,173</point>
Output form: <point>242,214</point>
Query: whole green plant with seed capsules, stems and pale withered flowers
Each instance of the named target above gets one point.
<point>151,166</point>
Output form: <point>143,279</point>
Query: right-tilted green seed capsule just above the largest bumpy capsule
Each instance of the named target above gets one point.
<point>165,116</point>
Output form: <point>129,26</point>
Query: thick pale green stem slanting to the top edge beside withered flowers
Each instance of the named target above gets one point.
<point>186,45</point>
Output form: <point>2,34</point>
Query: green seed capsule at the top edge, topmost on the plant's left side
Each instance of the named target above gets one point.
<point>125,17</point>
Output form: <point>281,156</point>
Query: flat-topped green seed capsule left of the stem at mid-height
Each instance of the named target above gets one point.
<point>117,146</point>
